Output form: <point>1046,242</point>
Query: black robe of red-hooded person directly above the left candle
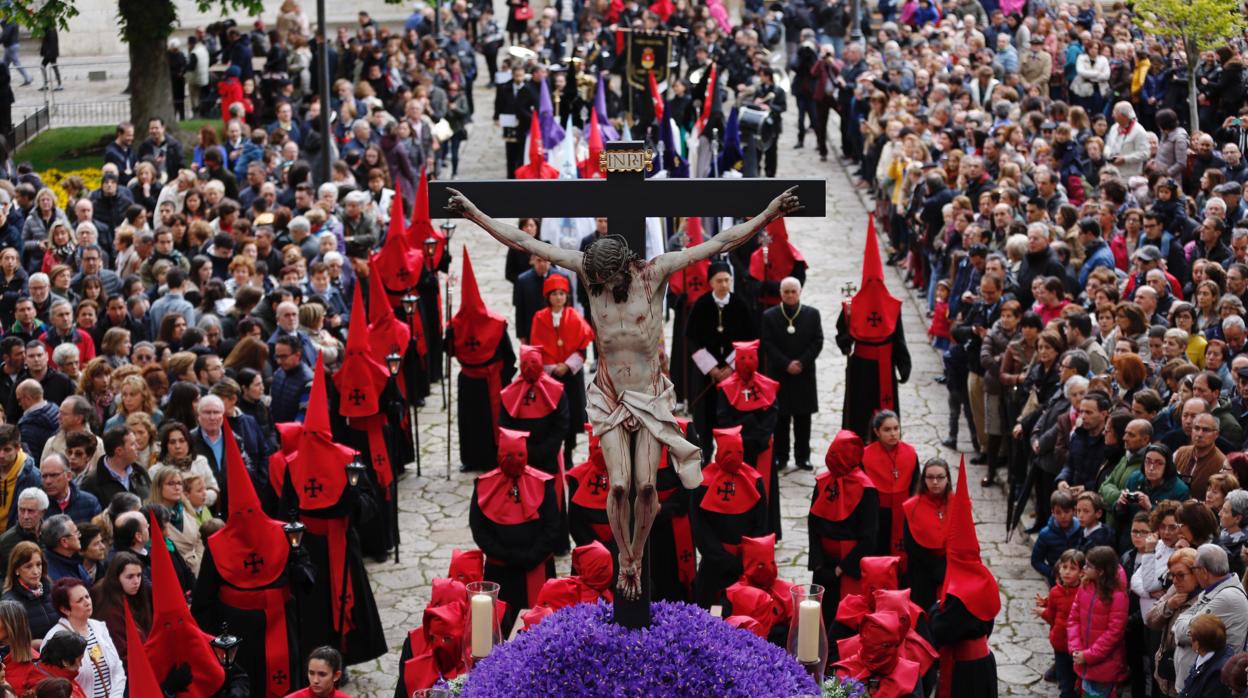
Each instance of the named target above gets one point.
<point>511,551</point>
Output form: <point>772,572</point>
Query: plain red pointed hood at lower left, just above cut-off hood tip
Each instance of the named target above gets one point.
<point>175,637</point>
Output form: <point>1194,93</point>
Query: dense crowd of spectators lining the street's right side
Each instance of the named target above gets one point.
<point>1083,249</point>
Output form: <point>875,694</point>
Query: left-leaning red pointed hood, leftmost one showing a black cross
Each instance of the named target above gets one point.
<point>251,551</point>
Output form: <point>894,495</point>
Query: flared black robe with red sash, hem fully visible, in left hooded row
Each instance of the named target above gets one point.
<point>366,640</point>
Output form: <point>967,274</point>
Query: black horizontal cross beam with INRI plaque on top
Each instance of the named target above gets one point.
<point>627,198</point>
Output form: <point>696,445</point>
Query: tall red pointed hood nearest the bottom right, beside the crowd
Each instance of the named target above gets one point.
<point>967,578</point>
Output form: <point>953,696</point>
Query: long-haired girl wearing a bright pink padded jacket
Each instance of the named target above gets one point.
<point>1096,627</point>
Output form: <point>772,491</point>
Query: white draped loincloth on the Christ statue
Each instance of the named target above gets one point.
<point>655,414</point>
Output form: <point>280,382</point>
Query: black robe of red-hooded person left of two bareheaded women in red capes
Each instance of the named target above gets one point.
<point>859,526</point>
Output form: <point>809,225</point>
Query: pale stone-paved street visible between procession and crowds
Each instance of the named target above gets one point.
<point>435,510</point>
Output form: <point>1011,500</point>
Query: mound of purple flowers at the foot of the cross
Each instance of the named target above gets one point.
<point>686,654</point>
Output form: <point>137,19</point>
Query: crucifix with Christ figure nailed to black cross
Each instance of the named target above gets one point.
<point>631,400</point>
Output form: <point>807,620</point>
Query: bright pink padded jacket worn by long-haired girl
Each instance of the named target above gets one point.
<point>1098,629</point>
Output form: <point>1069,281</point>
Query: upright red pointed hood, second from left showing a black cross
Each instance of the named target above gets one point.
<point>319,468</point>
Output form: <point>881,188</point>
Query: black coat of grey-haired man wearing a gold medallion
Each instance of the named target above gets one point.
<point>799,395</point>
